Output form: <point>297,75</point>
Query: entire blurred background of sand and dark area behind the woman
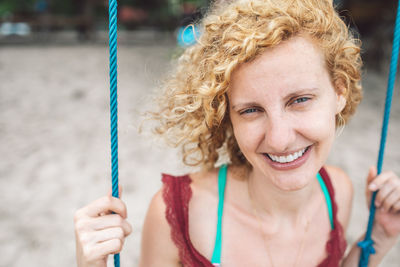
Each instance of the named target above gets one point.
<point>54,121</point>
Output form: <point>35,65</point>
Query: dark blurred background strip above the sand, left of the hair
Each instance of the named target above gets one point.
<point>87,20</point>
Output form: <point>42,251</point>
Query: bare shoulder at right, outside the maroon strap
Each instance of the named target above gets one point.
<point>343,193</point>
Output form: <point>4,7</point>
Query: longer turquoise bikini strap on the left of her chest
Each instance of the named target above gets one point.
<point>216,257</point>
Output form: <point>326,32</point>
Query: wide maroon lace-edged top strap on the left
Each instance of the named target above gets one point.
<point>177,194</point>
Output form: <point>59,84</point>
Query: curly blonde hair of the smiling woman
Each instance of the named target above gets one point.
<point>193,110</point>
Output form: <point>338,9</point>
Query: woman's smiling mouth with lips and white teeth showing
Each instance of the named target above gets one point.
<point>290,161</point>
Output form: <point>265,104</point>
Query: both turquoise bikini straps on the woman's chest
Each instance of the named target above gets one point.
<point>216,257</point>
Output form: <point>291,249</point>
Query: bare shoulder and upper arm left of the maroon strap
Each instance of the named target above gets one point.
<point>157,247</point>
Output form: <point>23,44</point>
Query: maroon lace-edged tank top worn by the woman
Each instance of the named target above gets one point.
<point>177,194</point>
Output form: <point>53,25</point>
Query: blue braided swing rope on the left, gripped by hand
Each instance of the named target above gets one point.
<point>112,10</point>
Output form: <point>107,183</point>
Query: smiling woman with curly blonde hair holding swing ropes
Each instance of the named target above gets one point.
<point>265,89</point>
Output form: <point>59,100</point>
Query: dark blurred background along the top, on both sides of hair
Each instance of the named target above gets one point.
<point>86,21</point>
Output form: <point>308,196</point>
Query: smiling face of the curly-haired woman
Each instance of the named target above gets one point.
<point>282,107</point>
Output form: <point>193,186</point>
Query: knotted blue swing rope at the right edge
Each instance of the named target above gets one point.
<point>367,244</point>
